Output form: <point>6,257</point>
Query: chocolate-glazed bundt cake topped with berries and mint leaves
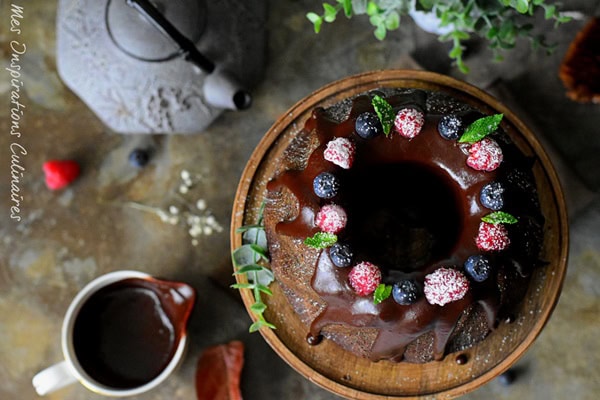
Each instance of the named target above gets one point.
<point>403,224</point>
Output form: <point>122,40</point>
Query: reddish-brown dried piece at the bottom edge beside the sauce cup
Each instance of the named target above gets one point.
<point>218,372</point>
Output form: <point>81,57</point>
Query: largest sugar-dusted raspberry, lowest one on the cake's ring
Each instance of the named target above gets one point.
<point>445,285</point>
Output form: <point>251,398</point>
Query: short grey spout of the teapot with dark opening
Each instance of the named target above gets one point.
<point>222,90</point>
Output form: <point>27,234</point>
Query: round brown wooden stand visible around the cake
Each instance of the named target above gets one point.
<point>347,375</point>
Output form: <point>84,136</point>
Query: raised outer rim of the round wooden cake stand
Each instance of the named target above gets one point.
<point>371,79</point>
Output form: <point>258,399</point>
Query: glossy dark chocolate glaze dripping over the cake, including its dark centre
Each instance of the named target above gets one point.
<point>432,223</point>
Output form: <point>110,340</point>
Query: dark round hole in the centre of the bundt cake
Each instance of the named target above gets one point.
<point>404,215</point>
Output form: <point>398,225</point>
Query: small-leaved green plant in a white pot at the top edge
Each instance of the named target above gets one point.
<point>499,22</point>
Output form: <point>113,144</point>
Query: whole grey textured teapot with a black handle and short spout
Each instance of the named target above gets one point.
<point>158,66</point>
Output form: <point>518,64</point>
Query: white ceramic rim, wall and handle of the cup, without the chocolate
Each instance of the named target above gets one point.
<point>70,369</point>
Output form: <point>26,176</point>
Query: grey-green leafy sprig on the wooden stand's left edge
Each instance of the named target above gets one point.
<point>247,260</point>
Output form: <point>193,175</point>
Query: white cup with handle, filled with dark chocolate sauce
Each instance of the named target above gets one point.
<point>123,334</point>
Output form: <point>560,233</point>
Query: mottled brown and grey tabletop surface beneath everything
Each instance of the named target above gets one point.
<point>110,217</point>
